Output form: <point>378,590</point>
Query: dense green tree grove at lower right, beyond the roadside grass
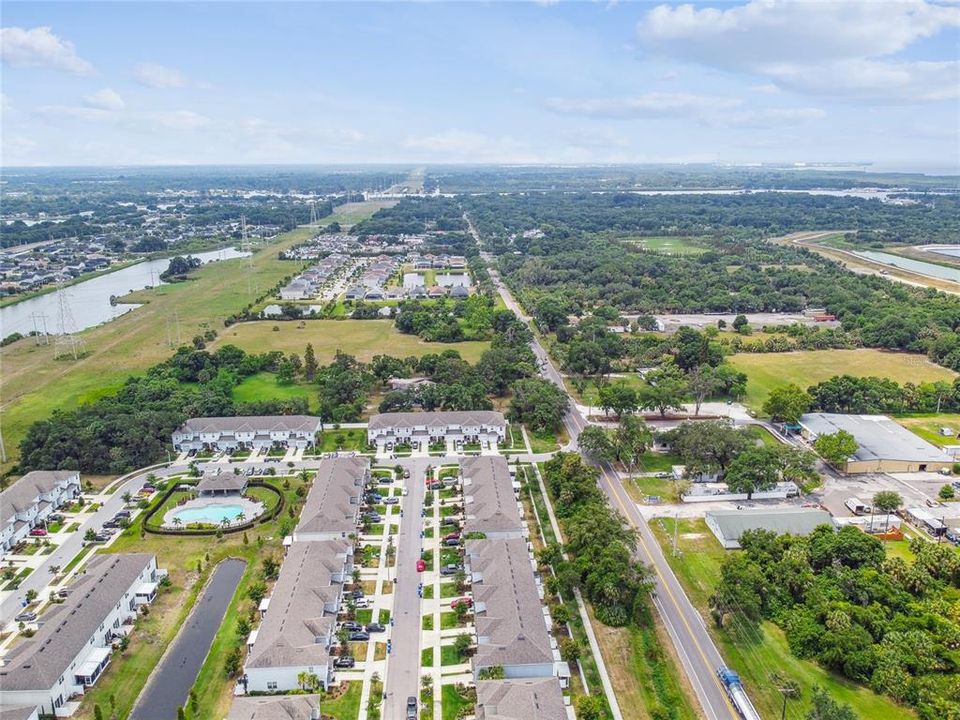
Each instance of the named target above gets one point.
<point>889,623</point>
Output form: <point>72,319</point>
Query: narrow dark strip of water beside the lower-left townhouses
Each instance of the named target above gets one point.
<point>170,683</point>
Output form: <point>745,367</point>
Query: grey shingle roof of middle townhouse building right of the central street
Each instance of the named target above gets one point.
<point>509,615</point>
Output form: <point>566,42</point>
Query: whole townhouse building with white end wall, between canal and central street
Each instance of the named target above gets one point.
<point>299,623</point>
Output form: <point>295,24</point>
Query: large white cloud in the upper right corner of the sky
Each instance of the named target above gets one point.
<point>834,48</point>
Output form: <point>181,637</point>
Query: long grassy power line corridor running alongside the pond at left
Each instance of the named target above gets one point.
<point>33,383</point>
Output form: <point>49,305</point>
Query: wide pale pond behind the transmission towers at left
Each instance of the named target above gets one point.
<point>89,301</point>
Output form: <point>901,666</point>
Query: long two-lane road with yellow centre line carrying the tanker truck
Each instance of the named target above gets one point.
<point>697,652</point>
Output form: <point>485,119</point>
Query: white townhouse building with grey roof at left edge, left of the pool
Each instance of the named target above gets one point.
<point>31,499</point>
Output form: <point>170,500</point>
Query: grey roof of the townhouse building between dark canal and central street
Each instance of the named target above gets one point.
<point>296,618</point>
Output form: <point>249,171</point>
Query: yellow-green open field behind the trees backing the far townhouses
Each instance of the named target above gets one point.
<point>361,338</point>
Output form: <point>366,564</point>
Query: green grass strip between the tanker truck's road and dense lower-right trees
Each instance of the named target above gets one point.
<point>755,654</point>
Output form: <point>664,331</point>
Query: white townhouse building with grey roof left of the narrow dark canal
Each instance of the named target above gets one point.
<point>73,645</point>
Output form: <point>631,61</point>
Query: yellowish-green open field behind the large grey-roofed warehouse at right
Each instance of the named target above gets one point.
<point>766,371</point>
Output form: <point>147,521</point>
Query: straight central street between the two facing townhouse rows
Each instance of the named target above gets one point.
<point>403,668</point>
